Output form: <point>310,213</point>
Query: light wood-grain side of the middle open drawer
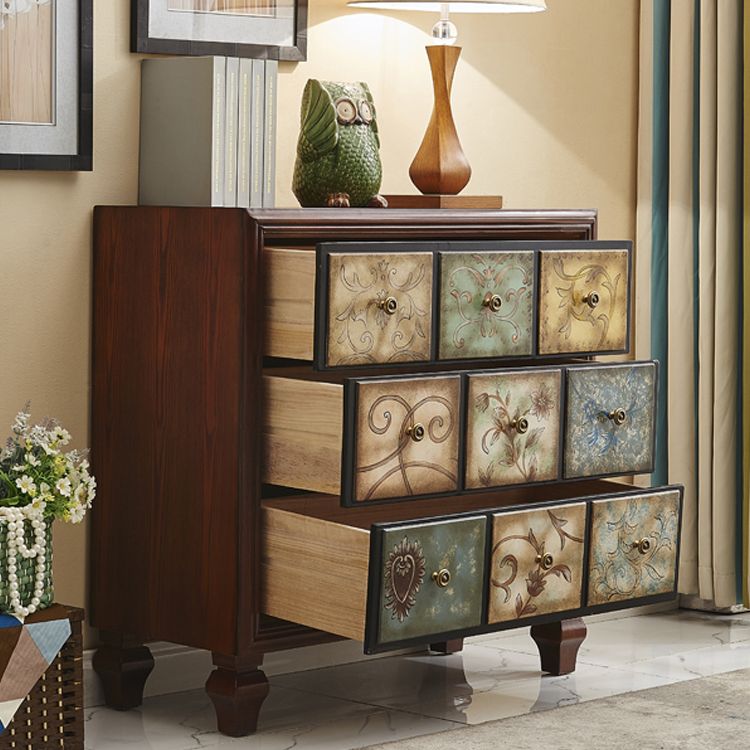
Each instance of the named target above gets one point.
<point>302,428</point>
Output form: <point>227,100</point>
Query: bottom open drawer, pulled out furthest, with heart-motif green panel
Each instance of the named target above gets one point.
<point>394,575</point>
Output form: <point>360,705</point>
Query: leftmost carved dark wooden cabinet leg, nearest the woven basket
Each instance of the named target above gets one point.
<point>123,665</point>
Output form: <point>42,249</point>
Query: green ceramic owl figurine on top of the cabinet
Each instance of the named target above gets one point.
<point>338,159</point>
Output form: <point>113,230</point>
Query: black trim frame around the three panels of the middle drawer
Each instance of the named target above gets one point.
<point>349,430</point>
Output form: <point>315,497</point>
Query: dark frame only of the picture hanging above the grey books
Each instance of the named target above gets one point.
<point>142,42</point>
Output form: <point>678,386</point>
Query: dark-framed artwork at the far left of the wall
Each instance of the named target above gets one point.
<point>46,84</point>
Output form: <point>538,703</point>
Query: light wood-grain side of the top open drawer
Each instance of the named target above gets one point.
<point>289,302</point>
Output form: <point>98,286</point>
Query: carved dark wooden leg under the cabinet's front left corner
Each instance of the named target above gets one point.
<point>237,689</point>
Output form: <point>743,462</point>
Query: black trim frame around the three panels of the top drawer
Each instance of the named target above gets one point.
<point>324,249</point>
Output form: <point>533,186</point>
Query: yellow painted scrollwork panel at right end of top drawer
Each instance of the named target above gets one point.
<point>583,301</point>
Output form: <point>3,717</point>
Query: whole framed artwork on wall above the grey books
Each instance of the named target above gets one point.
<point>271,29</point>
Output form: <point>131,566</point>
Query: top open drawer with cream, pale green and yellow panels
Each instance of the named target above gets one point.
<point>386,303</point>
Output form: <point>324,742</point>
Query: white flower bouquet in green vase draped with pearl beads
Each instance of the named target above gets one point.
<point>38,483</point>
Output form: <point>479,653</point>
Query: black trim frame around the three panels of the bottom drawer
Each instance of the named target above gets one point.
<point>375,573</point>
